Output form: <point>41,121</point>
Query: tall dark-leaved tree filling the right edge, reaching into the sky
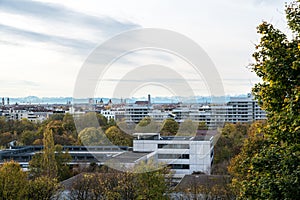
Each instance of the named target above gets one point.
<point>271,170</point>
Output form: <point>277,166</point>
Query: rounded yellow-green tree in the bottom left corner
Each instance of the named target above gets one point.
<point>12,181</point>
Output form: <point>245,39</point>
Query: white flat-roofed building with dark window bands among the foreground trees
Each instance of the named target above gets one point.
<point>184,155</point>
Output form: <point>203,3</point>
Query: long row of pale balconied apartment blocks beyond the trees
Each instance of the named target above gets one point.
<point>237,109</point>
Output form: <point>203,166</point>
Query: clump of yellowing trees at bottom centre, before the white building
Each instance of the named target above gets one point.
<point>146,180</point>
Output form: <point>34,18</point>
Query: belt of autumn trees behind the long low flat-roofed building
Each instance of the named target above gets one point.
<point>100,132</point>
